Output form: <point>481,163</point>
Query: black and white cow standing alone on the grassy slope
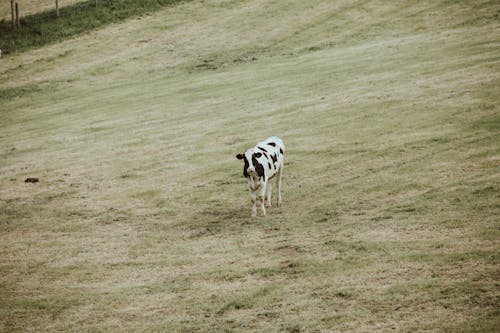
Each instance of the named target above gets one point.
<point>262,163</point>
